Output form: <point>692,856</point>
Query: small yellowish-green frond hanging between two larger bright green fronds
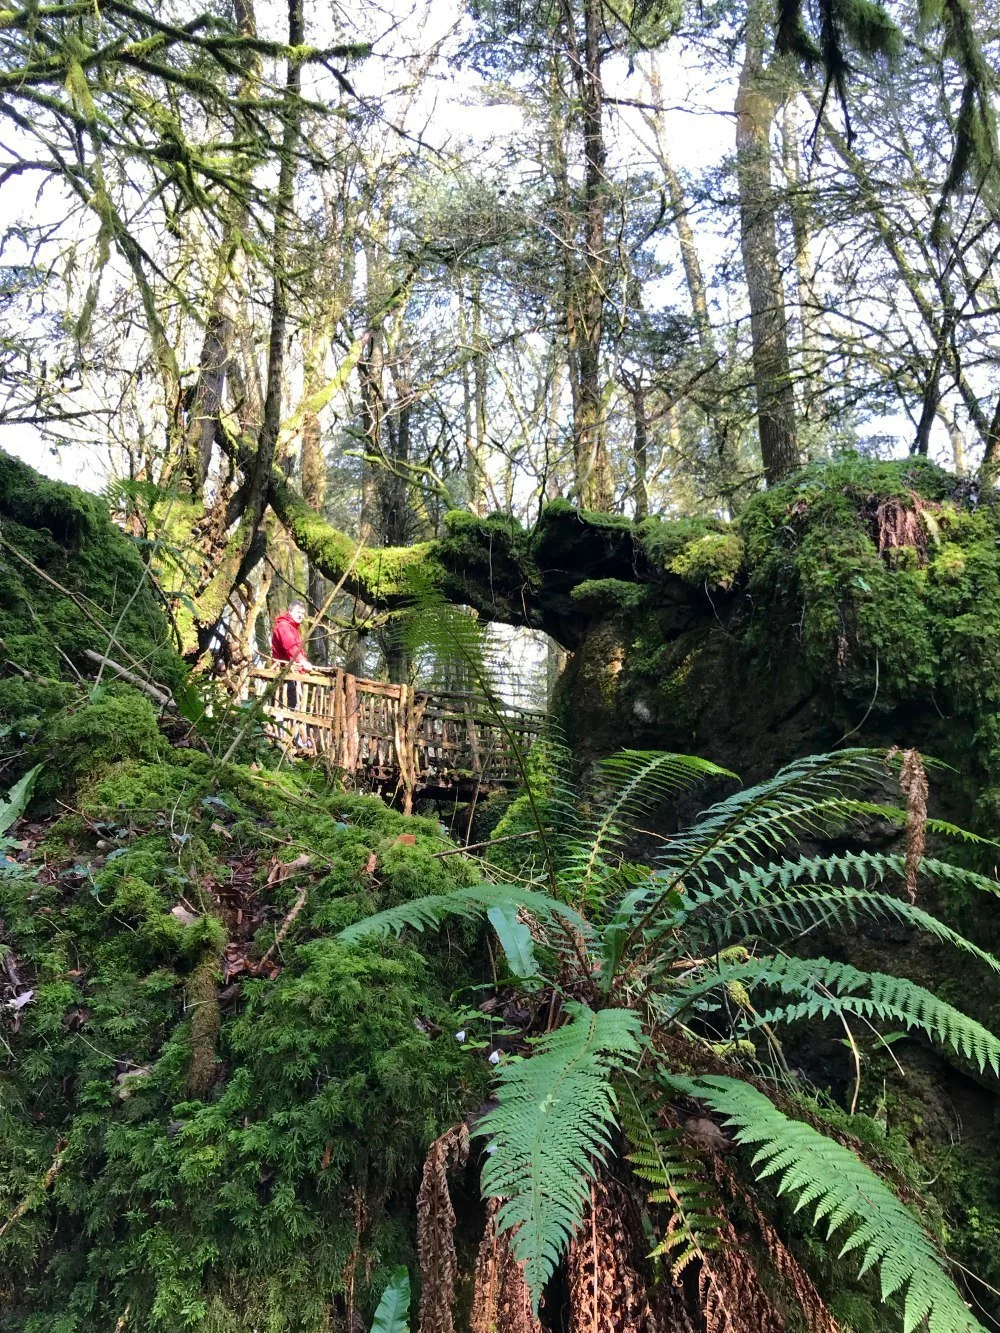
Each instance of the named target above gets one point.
<point>678,1180</point>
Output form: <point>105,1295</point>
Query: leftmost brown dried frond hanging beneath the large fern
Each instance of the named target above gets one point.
<point>439,1264</point>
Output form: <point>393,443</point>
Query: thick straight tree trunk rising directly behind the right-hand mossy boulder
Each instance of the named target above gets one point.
<point>757,105</point>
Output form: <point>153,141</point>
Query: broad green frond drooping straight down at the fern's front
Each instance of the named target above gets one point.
<point>551,1127</point>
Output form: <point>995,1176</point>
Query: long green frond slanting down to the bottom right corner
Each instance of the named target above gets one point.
<point>843,1195</point>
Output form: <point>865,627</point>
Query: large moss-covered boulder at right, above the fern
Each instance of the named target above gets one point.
<point>858,601</point>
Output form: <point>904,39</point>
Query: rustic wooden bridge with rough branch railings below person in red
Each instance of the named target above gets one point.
<point>398,739</point>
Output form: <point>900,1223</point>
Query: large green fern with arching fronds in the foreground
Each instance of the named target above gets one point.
<point>686,960</point>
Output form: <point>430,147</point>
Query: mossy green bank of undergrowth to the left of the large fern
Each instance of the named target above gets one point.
<point>234,1124</point>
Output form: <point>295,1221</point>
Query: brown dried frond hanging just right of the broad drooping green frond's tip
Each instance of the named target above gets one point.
<point>607,1294</point>
